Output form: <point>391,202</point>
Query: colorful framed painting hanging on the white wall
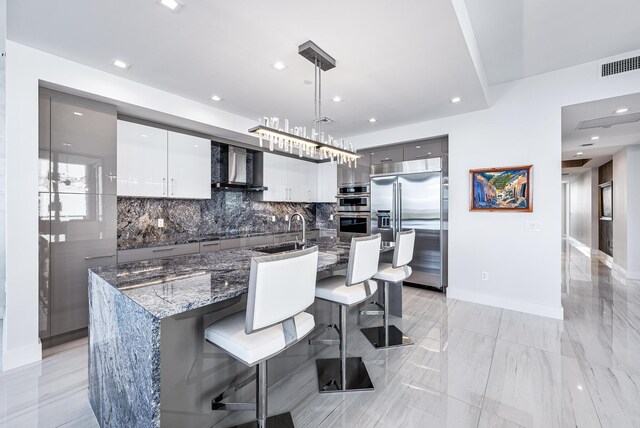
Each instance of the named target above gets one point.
<point>501,189</point>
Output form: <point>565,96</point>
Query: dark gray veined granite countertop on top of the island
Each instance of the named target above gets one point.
<point>170,286</point>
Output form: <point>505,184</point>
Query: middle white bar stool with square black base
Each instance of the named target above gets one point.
<point>348,374</point>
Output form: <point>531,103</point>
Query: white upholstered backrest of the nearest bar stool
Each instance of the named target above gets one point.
<point>280,287</point>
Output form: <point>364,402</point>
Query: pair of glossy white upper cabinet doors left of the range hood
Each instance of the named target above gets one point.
<point>156,163</point>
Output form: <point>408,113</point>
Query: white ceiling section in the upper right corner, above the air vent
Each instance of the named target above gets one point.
<point>521,38</point>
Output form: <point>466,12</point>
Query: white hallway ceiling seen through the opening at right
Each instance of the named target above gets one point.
<point>611,139</point>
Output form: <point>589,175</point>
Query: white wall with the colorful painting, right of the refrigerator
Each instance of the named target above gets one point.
<point>522,126</point>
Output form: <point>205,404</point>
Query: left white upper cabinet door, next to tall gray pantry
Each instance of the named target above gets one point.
<point>142,160</point>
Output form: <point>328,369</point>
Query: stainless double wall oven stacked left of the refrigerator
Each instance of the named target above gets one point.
<point>354,210</point>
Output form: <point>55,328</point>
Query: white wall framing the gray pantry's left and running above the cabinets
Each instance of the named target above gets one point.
<point>25,67</point>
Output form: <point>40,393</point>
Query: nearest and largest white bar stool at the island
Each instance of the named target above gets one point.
<point>281,287</point>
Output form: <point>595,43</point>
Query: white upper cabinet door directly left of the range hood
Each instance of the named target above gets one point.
<point>189,166</point>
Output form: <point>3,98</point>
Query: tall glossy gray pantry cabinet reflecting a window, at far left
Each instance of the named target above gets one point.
<point>77,208</point>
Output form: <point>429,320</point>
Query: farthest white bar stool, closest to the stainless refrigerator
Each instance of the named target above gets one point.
<point>387,336</point>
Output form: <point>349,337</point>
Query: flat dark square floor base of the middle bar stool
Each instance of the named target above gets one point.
<point>357,376</point>
